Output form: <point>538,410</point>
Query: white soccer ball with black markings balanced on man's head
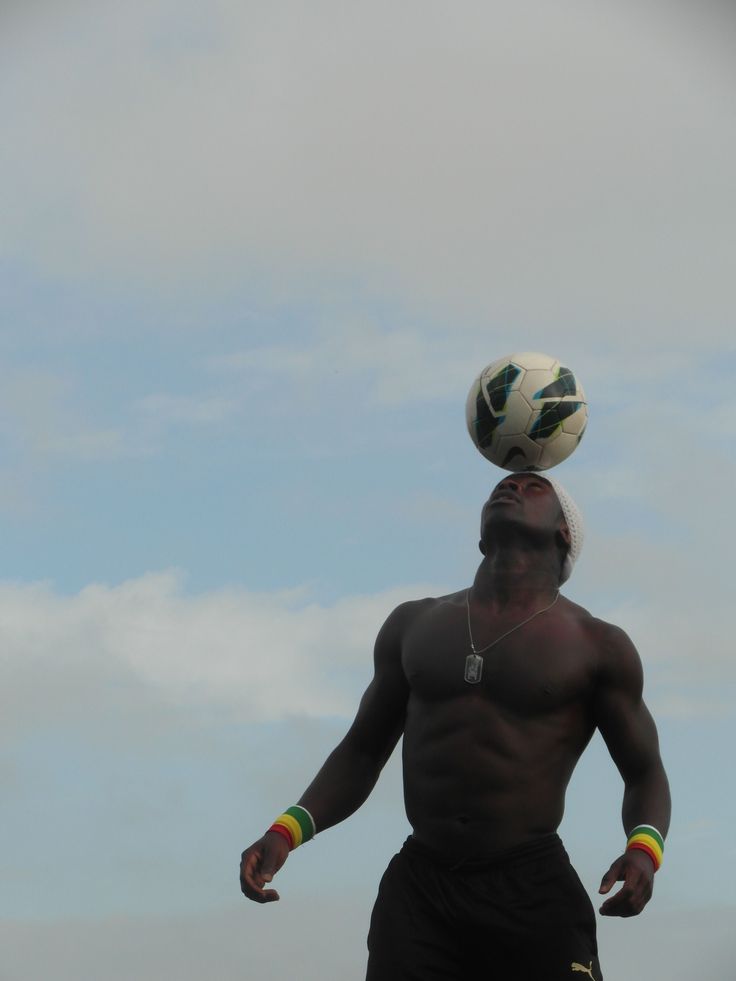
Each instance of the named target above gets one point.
<point>526,412</point>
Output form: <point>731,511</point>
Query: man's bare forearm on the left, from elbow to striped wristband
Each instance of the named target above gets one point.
<point>343,783</point>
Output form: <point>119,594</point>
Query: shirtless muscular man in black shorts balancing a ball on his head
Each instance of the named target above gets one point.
<point>483,887</point>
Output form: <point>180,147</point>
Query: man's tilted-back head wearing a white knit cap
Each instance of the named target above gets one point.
<point>540,503</point>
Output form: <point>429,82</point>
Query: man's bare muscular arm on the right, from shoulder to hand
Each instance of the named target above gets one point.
<point>631,737</point>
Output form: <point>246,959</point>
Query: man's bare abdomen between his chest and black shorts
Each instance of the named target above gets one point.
<point>478,780</point>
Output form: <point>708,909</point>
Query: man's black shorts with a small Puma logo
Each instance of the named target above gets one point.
<point>520,916</point>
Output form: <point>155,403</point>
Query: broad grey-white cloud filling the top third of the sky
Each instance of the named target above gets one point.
<point>523,163</point>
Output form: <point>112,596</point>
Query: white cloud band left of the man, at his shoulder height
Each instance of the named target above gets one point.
<point>254,657</point>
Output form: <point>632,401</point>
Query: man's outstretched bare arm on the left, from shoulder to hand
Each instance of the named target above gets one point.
<point>350,772</point>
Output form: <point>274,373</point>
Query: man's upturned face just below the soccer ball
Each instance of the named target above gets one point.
<point>525,498</point>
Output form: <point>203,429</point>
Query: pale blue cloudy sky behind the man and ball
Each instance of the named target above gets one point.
<point>251,257</point>
